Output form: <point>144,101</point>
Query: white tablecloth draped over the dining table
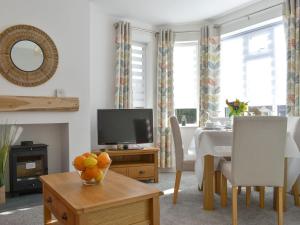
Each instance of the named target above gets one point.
<point>218,143</point>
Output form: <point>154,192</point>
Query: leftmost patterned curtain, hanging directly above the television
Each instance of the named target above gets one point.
<point>123,66</point>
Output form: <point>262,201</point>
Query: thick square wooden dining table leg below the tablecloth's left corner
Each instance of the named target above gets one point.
<point>208,183</point>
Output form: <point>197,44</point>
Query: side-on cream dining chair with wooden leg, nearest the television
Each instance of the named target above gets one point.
<point>181,163</point>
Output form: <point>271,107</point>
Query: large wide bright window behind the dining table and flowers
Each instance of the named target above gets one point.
<point>253,68</point>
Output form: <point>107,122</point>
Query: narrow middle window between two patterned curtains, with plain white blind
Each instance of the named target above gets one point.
<point>186,81</point>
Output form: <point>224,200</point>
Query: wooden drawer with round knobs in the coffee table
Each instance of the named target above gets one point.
<point>58,209</point>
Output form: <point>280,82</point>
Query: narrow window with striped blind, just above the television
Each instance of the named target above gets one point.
<point>138,60</point>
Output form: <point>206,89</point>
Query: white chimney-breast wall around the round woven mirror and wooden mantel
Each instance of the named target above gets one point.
<point>66,22</point>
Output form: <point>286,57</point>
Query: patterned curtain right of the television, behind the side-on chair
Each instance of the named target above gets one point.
<point>165,106</point>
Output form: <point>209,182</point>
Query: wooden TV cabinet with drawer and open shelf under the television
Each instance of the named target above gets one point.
<point>139,164</point>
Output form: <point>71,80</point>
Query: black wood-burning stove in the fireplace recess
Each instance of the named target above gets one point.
<point>26,164</point>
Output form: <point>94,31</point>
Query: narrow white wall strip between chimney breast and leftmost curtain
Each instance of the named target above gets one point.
<point>101,65</point>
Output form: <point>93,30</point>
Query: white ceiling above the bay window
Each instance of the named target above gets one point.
<point>159,12</point>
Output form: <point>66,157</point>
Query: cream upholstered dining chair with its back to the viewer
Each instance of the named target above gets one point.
<point>257,158</point>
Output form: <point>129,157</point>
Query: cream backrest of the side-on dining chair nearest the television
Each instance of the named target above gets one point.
<point>179,154</point>
